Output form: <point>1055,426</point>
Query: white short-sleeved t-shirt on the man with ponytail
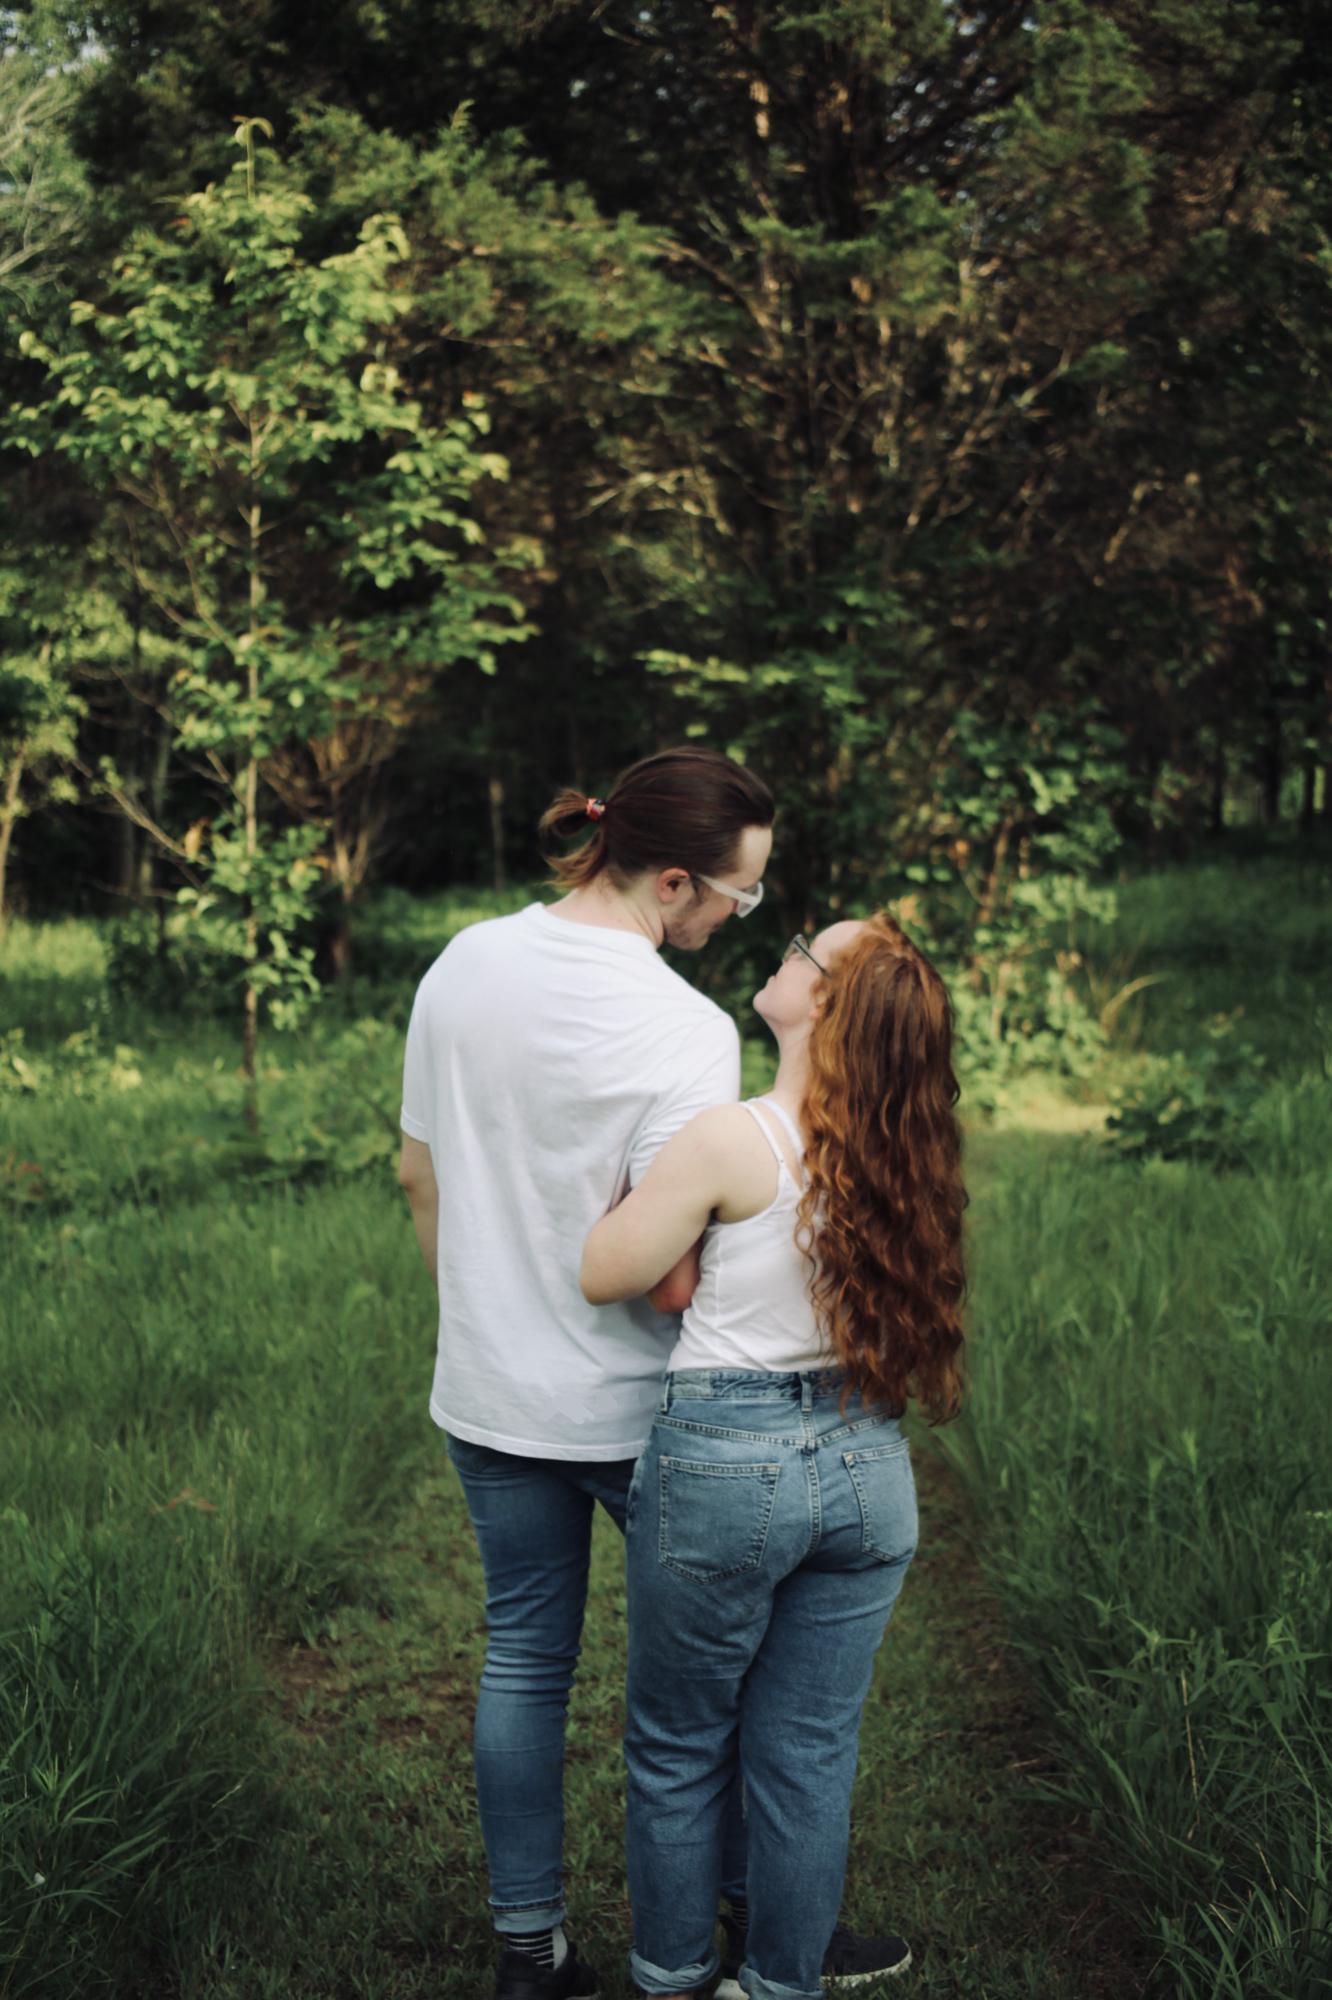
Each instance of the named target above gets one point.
<point>545,1067</point>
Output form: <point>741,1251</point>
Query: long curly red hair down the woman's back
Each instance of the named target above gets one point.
<point>883,1207</point>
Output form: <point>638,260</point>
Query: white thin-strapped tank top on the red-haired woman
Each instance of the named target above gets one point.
<point>753,1303</point>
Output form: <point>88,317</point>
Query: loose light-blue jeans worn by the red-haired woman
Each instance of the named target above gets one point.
<point>769,1537</point>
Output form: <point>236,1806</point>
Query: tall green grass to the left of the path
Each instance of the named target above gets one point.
<point>211,1411</point>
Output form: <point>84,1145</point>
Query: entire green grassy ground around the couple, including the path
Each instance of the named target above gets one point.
<point>241,1605</point>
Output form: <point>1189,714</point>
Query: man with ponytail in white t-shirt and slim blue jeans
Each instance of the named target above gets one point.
<point>551,1055</point>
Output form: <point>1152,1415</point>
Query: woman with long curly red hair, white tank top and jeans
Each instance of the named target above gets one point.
<point>773,1511</point>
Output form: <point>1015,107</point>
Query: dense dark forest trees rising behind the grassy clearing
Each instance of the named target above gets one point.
<point>415,407</point>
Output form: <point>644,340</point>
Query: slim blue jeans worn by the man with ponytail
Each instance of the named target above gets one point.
<point>533,1521</point>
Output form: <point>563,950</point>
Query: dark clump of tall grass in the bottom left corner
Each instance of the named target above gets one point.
<point>133,1783</point>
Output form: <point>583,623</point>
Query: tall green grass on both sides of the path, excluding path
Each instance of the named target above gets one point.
<point>213,1385</point>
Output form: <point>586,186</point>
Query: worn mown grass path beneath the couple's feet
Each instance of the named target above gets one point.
<point>383,1887</point>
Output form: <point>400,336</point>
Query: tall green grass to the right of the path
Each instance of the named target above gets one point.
<point>1149,1439</point>
